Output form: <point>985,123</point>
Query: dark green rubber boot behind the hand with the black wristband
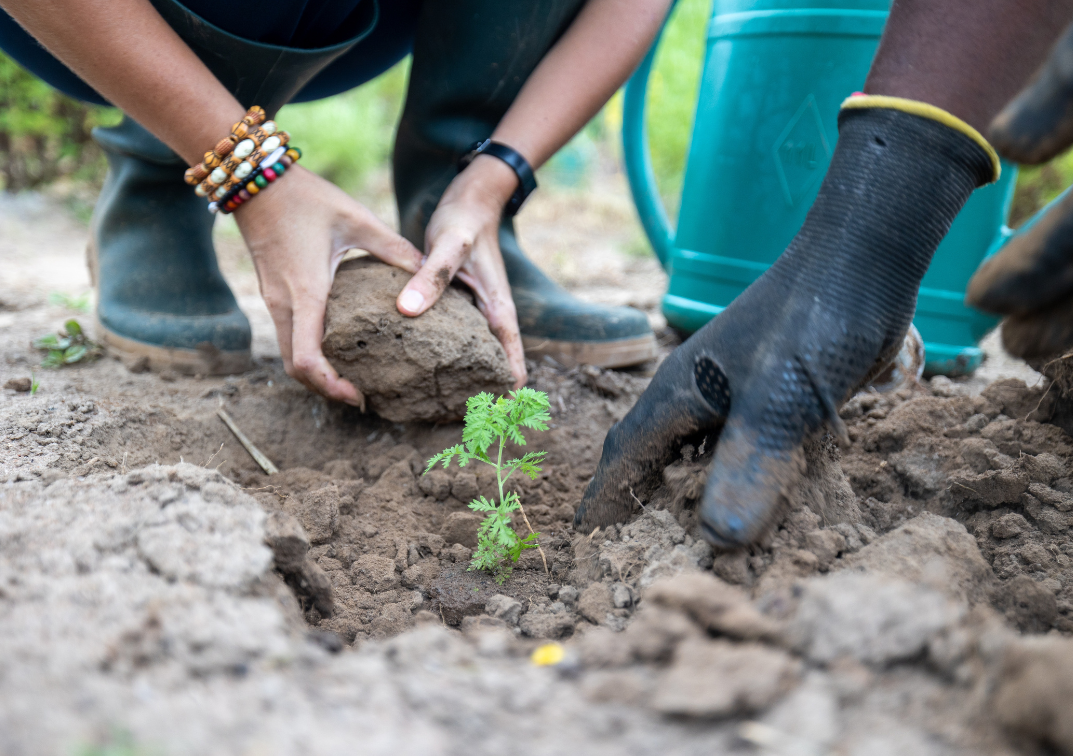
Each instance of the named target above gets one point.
<point>471,61</point>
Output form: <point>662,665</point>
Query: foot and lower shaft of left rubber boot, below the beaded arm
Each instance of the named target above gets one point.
<point>163,303</point>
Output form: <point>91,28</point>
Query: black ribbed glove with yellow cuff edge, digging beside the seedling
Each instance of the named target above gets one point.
<point>834,309</point>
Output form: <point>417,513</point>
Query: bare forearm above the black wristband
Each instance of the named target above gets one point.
<point>599,52</point>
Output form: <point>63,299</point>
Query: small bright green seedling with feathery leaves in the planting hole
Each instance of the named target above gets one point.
<point>490,421</point>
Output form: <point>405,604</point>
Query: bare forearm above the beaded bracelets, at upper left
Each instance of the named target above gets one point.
<point>128,53</point>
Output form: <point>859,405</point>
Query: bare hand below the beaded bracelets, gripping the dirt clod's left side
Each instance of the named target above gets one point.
<point>298,232</point>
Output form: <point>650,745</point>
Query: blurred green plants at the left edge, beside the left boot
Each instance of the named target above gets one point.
<point>45,136</point>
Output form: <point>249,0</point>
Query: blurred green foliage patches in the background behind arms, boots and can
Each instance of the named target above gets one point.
<point>348,139</point>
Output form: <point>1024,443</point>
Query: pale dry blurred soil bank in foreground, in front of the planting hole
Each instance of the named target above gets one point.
<point>140,606</point>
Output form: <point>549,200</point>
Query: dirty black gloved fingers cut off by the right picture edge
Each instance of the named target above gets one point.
<point>1031,280</point>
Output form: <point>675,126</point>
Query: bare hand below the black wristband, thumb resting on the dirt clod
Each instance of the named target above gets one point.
<point>463,240</point>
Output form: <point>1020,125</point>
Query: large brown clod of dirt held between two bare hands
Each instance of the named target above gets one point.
<point>409,368</point>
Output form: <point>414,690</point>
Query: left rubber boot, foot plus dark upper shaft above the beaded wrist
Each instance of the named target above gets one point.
<point>163,303</point>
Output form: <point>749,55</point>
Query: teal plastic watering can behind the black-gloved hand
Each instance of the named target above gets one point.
<point>775,76</point>
